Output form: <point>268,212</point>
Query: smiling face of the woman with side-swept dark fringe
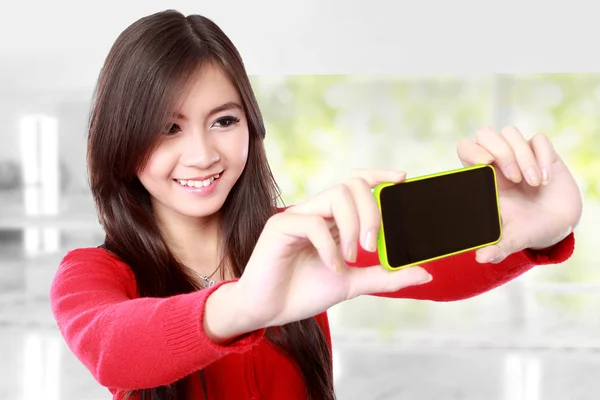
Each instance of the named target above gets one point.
<point>195,166</point>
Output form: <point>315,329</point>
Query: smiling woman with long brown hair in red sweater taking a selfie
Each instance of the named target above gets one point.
<point>204,288</point>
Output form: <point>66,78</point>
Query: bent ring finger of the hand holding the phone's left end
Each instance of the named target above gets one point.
<point>338,204</point>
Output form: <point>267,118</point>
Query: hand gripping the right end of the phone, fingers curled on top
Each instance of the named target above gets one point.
<point>540,202</point>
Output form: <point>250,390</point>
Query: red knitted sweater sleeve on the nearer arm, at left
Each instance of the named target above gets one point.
<point>127,342</point>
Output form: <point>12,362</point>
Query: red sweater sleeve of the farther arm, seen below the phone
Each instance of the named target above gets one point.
<point>461,276</point>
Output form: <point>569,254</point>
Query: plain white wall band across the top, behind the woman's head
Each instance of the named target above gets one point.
<point>62,43</point>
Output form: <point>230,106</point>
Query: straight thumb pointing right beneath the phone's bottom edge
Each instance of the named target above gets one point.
<point>379,280</point>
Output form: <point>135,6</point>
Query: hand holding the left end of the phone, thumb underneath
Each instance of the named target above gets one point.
<point>298,268</point>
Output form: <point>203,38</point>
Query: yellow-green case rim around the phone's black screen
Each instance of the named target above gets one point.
<point>381,247</point>
